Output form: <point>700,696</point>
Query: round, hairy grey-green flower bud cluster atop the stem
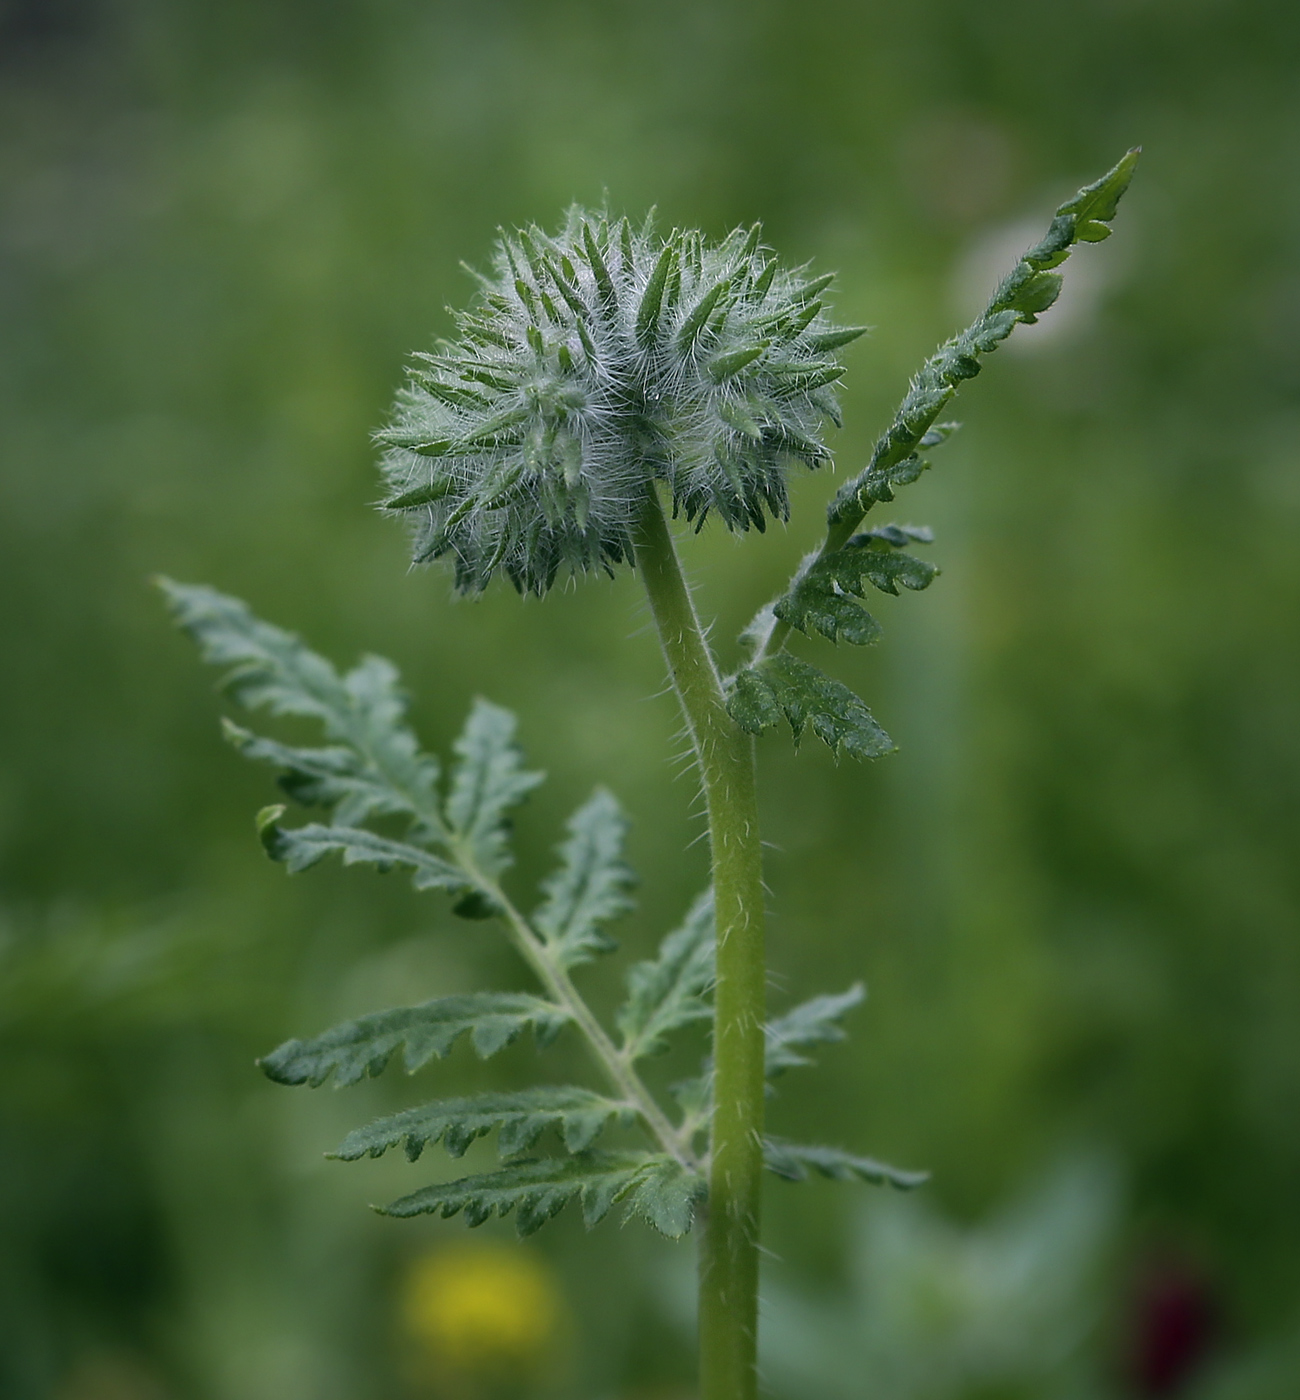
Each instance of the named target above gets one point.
<point>595,363</point>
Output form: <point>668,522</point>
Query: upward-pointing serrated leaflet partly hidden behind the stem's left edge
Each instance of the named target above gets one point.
<point>672,989</point>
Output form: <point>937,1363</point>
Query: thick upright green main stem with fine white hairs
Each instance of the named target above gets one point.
<point>726,757</point>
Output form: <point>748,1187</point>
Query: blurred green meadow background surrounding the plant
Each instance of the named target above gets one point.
<point>1074,894</point>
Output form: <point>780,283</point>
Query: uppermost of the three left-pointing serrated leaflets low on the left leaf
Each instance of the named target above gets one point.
<point>362,1048</point>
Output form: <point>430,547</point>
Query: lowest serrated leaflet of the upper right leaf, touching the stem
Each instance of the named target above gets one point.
<point>784,685</point>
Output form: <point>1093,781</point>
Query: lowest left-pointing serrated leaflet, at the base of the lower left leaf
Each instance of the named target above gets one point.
<point>656,1188</point>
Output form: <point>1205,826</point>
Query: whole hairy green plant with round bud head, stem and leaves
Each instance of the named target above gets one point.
<point>608,372</point>
